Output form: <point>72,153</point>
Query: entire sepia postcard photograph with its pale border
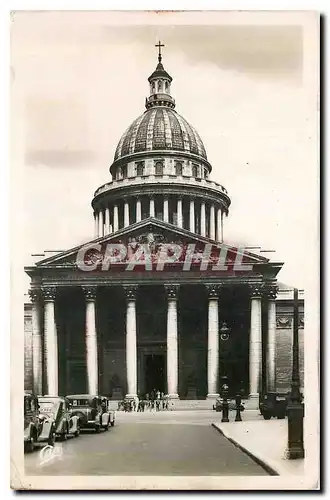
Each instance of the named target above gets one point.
<point>165,170</point>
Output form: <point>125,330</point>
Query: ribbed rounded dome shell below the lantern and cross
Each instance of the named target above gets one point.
<point>160,128</point>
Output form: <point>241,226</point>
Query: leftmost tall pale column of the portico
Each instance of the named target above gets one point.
<point>36,341</point>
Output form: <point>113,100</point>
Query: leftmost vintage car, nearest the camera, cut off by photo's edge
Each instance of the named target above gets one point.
<point>36,430</point>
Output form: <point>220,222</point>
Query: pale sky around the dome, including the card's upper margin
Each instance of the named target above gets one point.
<point>248,84</point>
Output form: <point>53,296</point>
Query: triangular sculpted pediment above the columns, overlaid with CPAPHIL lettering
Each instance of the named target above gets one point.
<point>149,241</point>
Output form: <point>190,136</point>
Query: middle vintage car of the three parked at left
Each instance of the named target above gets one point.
<point>59,409</point>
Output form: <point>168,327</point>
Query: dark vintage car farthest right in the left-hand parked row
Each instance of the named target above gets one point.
<point>93,411</point>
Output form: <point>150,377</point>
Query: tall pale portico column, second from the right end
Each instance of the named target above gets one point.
<point>255,341</point>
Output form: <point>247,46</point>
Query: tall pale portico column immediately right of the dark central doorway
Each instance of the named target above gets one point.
<point>172,340</point>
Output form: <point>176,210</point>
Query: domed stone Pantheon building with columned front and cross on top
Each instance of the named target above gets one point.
<point>159,299</point>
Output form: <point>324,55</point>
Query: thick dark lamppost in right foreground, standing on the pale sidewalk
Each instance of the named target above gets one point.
<point>295,408</point>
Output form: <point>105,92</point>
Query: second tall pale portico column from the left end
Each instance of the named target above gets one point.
<point>50,346</point>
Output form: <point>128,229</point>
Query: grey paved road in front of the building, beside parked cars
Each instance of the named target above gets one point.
<point>164,443</point>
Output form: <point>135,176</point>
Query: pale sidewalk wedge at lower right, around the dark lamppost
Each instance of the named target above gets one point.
<point>265,441</point>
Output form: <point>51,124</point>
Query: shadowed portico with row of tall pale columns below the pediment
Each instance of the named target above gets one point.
<point>109,337</point>
